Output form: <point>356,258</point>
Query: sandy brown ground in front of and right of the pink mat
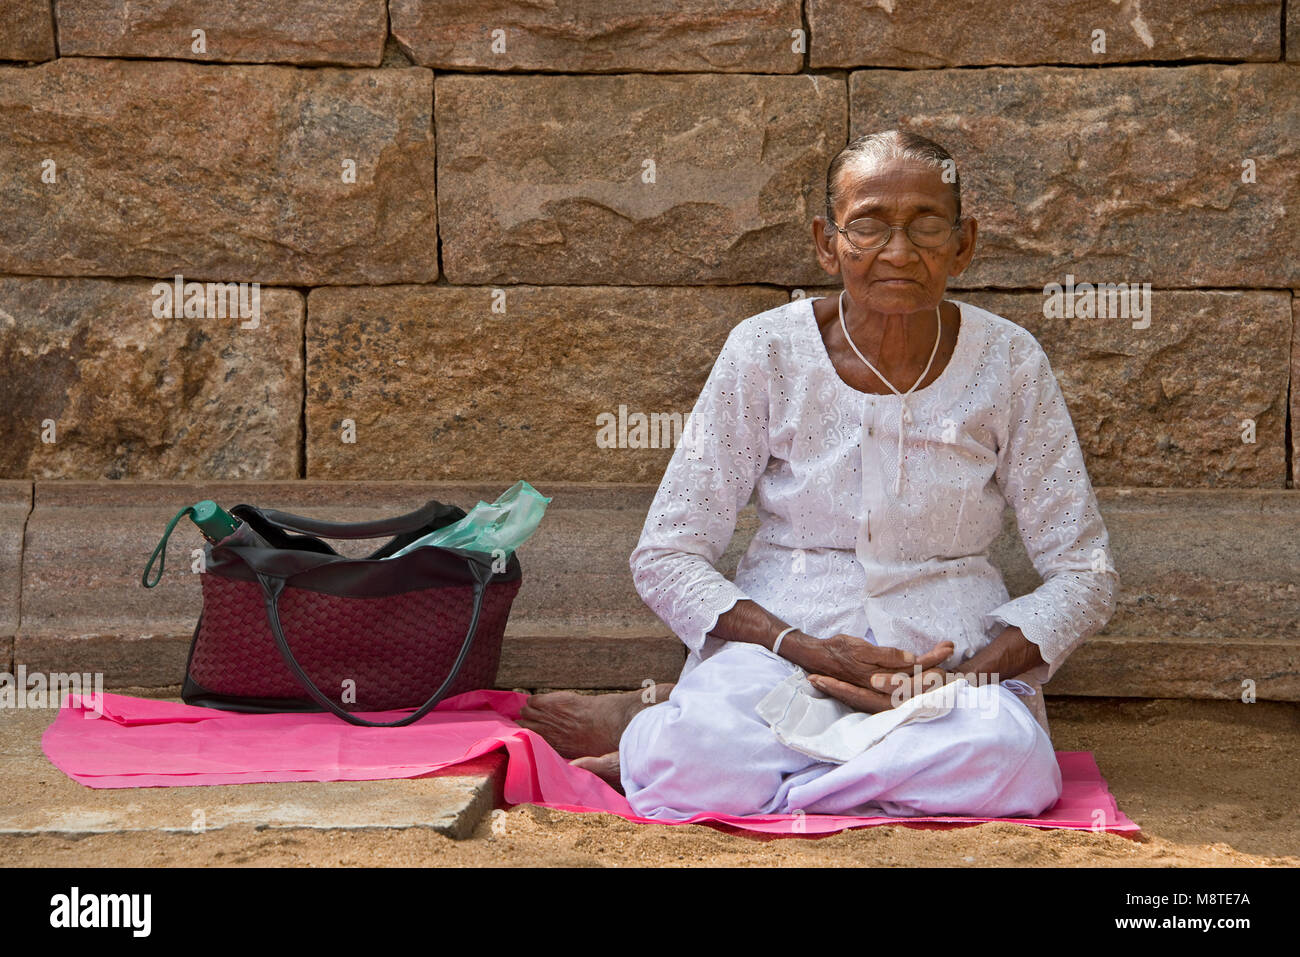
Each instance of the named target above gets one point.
<point>1212,783</point>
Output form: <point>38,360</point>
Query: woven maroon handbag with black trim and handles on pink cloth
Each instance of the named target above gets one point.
<point>289,625</point>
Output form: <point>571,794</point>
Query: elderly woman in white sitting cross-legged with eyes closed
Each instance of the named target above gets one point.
<point>885,431</point>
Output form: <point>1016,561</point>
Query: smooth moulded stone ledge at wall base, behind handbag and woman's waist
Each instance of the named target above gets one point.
<point>1210,583</point>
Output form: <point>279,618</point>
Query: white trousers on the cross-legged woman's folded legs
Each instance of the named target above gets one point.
<point>707,750</point>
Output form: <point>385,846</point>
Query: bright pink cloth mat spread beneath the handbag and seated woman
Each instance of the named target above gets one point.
<point>144,743</point>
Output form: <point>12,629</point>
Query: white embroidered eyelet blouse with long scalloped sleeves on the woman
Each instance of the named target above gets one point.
<point>838,551</point>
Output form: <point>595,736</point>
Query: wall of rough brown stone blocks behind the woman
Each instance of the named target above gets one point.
<point>458,232</point>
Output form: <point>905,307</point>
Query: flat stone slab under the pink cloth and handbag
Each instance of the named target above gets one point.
<point>41,799</point>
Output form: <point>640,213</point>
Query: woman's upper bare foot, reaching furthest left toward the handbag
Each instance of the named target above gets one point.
<point>580,726</point>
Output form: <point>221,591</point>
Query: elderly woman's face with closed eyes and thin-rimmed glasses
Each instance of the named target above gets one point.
<point>899,278</point>
